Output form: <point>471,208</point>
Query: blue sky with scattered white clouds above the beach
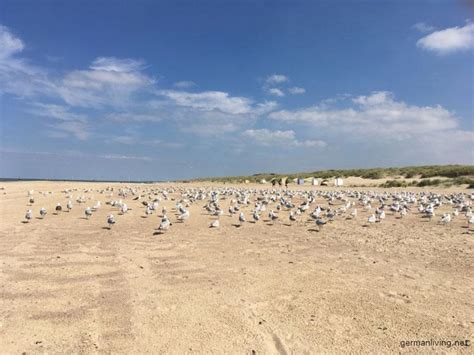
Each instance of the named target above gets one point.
<point>179,89</point>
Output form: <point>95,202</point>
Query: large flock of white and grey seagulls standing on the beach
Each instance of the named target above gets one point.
<point>322,207</point>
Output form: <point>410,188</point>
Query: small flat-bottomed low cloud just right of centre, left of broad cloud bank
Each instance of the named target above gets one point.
<point>268,137</point>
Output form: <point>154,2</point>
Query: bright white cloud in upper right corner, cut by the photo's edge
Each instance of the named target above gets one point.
<point>449,40</point>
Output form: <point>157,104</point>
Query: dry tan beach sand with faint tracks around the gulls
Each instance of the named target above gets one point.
<point>69,286</point>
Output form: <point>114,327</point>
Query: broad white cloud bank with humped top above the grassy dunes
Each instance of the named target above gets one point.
<point>377,114</point>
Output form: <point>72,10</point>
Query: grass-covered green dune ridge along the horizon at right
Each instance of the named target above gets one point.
<point>458,174</point>
